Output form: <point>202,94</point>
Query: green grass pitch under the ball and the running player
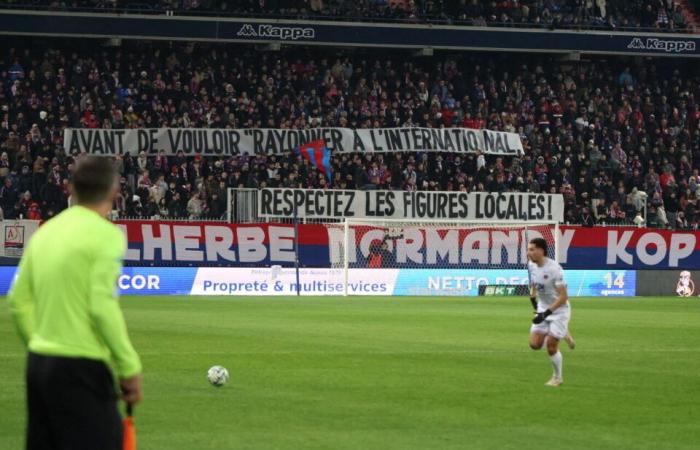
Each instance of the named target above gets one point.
<point>388,373</point>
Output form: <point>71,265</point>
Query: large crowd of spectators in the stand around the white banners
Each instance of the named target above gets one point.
<point>614,137</point>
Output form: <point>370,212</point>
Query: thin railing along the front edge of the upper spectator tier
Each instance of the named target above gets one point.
<point>155,9</point>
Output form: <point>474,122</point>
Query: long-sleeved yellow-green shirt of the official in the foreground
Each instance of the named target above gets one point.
<point>64,301</point>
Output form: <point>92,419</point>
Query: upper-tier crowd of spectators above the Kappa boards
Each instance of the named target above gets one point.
<point>665,15</point>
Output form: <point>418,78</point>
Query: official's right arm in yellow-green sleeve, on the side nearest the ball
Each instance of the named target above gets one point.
<point>104,305</point>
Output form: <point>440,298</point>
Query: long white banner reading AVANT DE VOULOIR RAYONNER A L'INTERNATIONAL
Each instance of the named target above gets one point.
<point>268,141</point>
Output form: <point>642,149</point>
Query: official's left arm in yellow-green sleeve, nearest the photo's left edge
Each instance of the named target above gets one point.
<point>21,299</point>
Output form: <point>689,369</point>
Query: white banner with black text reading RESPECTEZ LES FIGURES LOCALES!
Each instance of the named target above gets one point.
<point>335,204</point>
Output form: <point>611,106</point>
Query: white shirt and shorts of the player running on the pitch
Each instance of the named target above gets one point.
<point>547,279</point>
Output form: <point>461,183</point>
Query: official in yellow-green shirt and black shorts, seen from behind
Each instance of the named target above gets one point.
<point>65,306</point>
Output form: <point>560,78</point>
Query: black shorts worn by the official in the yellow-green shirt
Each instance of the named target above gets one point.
<point>72,405</point>
